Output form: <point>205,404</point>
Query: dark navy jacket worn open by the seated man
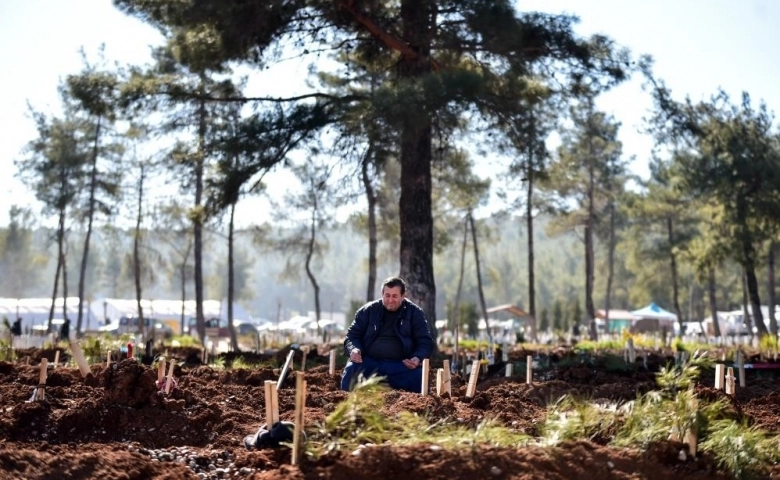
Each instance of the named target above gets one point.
<point>412,329</point>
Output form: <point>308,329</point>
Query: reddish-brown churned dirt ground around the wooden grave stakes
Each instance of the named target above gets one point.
<point>115,424</point>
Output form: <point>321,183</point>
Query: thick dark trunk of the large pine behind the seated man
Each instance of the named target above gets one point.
<point>416,220</point>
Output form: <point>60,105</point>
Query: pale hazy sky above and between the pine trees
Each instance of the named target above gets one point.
<point>698,46</point>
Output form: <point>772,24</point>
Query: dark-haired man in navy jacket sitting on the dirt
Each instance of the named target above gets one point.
<point>389,337</point>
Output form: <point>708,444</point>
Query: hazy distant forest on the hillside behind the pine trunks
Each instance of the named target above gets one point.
<point>270,282</point>
